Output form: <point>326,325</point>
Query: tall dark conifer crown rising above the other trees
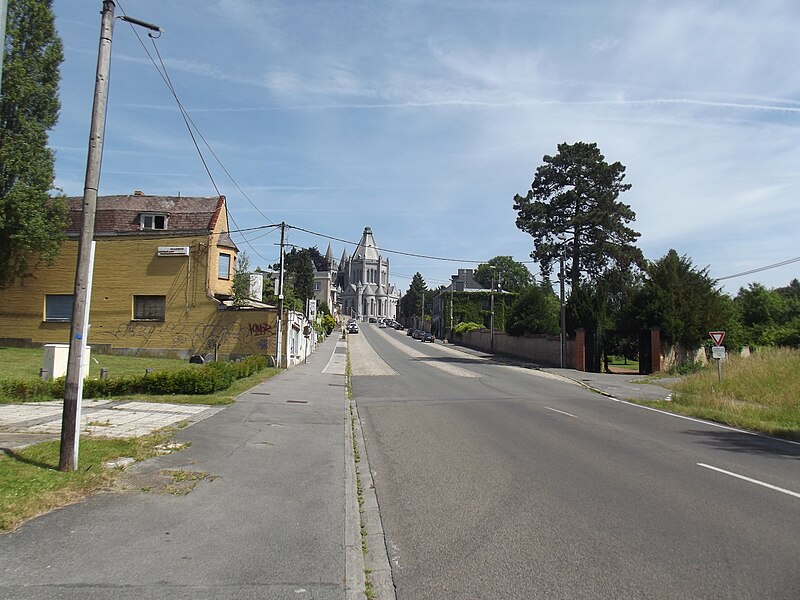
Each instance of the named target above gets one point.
<point>573,201</point>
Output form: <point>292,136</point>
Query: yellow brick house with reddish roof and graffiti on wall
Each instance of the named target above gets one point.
<point>163,272</point>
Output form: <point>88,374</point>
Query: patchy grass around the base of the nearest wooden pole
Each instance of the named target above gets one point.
<point>31,484</point>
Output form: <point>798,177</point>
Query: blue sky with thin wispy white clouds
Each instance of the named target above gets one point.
<point>422,120</point>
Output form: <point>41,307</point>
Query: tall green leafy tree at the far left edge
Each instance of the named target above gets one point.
<point>32,223</point>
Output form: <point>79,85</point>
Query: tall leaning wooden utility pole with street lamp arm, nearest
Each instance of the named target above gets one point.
<point>79,326</point>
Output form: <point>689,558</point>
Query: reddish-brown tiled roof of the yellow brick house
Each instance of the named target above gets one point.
<point>120,214</point>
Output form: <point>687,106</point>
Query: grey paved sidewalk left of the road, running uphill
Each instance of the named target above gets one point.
<point>271,518</point>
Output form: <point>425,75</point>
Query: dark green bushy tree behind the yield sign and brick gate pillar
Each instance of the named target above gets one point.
<point>683,301</point>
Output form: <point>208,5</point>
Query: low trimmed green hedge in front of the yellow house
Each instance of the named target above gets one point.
<point>209,378</point>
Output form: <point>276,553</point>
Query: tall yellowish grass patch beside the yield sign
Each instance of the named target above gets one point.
<point>759,393</point>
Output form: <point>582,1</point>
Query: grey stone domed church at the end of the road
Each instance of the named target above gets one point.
<point>362,281</point>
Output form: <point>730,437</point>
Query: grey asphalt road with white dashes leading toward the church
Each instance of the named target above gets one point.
<point>500,482</point>
